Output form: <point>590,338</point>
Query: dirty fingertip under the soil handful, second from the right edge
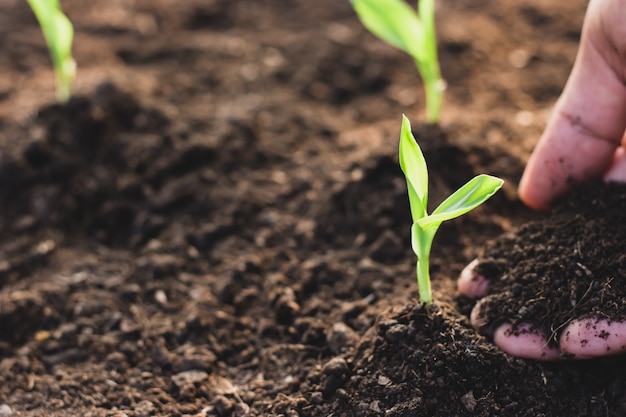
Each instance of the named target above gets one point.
<point>525,342</point>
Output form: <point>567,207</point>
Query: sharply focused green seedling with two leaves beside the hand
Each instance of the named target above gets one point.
<point>425,226</point>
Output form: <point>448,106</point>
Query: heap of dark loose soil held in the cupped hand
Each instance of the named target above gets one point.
<point>571,265</point>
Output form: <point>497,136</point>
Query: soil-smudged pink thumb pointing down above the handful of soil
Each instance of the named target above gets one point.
<point>588,121</point>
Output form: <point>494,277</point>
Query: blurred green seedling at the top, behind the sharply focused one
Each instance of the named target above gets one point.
<point>396,23</point>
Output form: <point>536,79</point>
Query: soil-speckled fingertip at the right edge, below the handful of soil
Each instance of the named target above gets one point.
<point>588,338</point>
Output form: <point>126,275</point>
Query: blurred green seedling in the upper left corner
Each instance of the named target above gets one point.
<point>58,32</point>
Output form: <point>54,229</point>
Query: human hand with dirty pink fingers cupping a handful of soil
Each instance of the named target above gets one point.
<point>584,139</point>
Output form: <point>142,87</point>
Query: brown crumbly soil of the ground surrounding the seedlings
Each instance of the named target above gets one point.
<point>216,223</point>
